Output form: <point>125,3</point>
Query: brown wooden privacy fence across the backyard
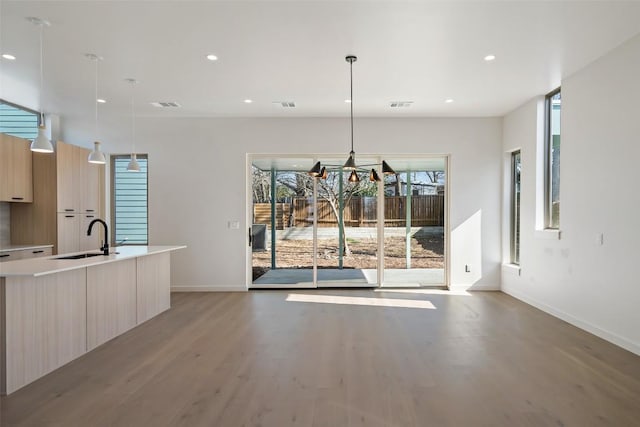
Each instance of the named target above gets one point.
<point>358,212</point>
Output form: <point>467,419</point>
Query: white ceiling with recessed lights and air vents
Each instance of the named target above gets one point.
<point>422,51</point>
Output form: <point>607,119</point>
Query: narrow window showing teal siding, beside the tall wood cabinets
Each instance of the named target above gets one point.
<point>129,214</point>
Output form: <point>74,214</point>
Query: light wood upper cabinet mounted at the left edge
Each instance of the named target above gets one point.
<point>16,184</point>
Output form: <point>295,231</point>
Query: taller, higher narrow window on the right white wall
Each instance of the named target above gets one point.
<point>552,155</point>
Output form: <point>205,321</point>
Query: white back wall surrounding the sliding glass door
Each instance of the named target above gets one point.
<point>197,183</point>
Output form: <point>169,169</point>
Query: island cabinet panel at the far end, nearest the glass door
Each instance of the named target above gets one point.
<point>154,285</point>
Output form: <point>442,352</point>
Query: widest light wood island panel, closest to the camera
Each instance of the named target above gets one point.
<point>45,321</point>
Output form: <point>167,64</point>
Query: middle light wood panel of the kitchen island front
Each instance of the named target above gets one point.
<point>111,301</point>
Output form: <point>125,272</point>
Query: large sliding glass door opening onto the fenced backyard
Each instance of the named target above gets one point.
<point>311,232</point>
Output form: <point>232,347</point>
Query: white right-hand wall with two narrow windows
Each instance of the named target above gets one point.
<point>593,286</point>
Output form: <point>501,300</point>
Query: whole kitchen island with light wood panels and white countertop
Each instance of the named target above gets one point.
<point>54,310</point>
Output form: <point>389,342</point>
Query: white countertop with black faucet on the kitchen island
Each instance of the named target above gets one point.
<point>49,265</point>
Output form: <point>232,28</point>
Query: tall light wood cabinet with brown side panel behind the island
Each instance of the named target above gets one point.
<point>67,195</point>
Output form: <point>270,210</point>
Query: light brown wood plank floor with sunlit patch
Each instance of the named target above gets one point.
<point>342,358</point>
